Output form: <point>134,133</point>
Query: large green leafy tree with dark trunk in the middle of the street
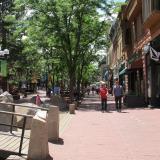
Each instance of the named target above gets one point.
<point>73,27</point>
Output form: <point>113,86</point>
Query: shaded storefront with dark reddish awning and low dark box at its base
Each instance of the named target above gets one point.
<point>134,82</point>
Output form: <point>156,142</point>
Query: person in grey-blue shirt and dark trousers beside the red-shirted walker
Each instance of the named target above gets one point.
<point>118,93</point>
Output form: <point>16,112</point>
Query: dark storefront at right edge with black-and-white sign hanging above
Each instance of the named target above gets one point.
<point>153,72</point>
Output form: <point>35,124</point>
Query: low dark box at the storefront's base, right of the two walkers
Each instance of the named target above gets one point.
<point>134,101</point>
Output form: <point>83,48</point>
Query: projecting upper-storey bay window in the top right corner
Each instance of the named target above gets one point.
<point>148,6</point>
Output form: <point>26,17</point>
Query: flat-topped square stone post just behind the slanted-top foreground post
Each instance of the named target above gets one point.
<point>53,123</point>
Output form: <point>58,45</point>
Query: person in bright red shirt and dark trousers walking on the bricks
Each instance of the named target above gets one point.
<point>103,95</point>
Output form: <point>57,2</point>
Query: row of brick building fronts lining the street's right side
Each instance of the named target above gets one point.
<point>139,57</point>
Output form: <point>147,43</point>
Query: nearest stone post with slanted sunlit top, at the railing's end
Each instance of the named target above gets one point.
<point>38,145</point>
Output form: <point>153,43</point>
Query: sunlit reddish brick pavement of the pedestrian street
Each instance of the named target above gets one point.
<point>91,134</point>
